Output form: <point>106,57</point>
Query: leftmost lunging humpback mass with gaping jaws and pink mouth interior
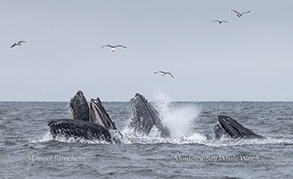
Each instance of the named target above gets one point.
<point>91,123</point>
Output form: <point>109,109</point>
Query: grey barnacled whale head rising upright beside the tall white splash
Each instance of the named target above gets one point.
<point>144,117</point>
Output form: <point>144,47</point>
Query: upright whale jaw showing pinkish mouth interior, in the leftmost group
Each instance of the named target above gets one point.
<point>99,115</point>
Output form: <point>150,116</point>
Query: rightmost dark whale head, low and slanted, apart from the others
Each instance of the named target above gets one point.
<point>232,128</point>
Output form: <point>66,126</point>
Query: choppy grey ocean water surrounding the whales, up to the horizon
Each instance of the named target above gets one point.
<point>28,151</point>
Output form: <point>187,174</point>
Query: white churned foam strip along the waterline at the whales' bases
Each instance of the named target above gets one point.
<point>129,137</point>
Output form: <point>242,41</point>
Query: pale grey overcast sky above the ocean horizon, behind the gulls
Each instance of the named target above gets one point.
<point>250,58</point>
